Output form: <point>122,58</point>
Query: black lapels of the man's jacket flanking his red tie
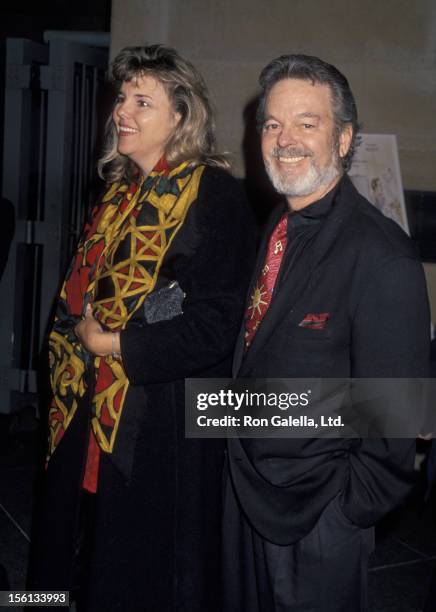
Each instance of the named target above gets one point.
<point>289,300</point>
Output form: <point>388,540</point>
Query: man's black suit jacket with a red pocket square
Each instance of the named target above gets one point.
<point>362,269</point>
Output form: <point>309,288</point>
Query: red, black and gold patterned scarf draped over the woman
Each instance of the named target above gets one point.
<point>116,265</point>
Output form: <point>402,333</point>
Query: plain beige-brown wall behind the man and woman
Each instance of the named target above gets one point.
<point>387,50</point>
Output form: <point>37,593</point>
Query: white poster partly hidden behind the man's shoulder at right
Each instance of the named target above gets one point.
<point>376,175</point>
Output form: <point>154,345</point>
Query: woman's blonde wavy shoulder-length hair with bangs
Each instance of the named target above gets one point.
<point>193,139</point>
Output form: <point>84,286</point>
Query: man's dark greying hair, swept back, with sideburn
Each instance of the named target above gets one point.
<point>310,68</point>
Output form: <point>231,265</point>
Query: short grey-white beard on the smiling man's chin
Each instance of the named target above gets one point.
<point>306,184</point>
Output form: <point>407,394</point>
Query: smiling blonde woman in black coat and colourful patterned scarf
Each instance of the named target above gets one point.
<point>155,293</point>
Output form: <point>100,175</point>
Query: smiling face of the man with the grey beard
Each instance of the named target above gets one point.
<point>299,144</point>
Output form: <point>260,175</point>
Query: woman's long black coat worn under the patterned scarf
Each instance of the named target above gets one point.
<point>153,540</point>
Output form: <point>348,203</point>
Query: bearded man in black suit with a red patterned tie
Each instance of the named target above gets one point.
<point>337,292</point>
